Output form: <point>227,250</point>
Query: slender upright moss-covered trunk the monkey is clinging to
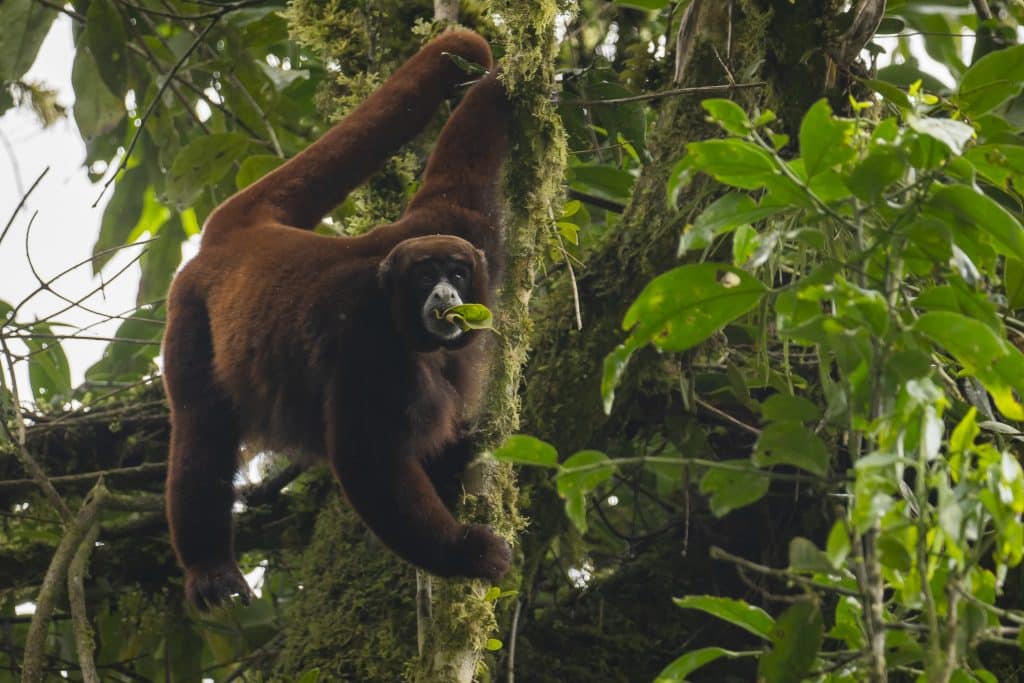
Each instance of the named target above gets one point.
<point>463,620</point>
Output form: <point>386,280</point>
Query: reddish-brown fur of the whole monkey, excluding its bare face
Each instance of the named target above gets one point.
<point>311,345</point>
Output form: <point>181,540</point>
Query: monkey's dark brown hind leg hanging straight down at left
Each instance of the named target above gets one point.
<point>203,460</point>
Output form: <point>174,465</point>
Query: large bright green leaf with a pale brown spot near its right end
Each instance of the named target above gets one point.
<point>680,309</point>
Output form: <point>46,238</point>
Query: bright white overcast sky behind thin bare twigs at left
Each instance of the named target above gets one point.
<point>66,226</point>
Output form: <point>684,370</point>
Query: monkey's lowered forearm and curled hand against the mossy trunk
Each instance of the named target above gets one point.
<point>396,498</point>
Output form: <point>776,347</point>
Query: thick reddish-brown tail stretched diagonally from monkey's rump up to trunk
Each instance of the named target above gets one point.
<point>303,191</point>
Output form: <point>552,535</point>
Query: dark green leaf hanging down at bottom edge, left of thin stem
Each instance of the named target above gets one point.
<point>796,639</point>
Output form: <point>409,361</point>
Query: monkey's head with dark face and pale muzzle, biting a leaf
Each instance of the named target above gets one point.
<point>425,277</point>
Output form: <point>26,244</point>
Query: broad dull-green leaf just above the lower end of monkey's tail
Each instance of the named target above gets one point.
<point>202,163</point>
